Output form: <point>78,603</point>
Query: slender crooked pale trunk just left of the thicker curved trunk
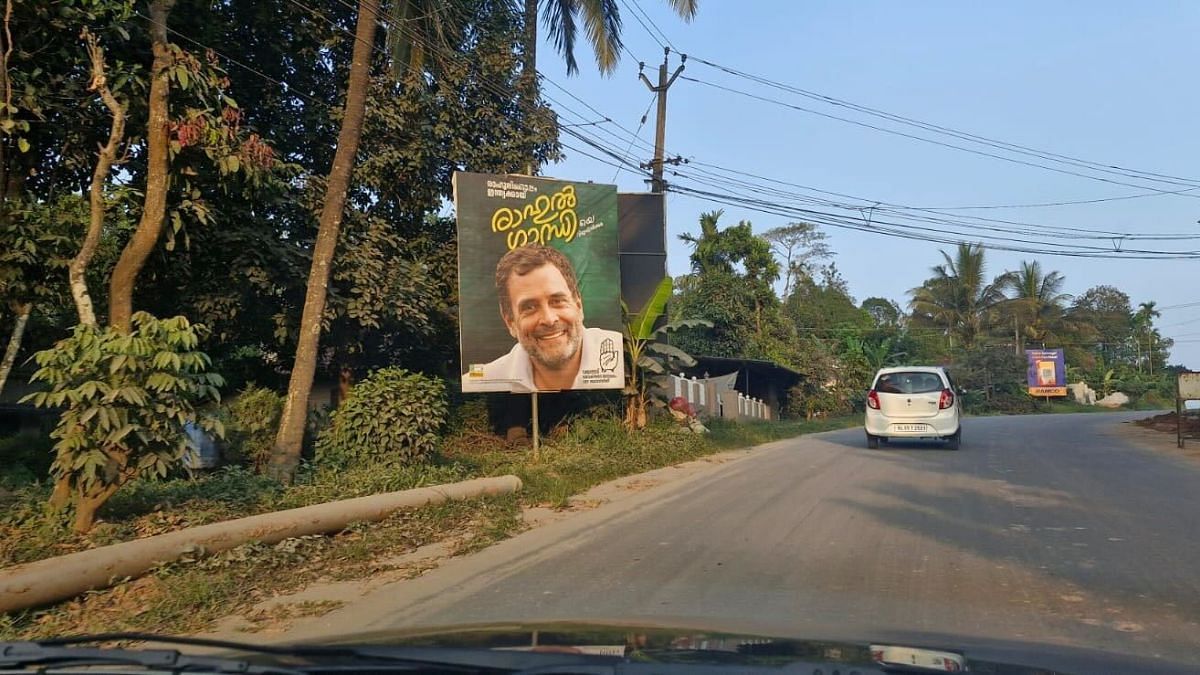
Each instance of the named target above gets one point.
<point>79,268</point>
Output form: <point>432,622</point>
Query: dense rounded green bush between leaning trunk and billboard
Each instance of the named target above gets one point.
<point>392,417</point>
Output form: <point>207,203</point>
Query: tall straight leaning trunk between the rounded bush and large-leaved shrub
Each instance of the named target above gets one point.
<point>289,443</point>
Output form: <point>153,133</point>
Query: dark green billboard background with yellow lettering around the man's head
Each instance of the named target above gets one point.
<point>495,212</point>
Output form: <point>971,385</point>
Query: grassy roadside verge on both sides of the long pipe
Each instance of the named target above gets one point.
<point>190,595</point>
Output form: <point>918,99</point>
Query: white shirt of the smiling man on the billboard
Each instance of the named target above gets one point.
<point>602,367</point>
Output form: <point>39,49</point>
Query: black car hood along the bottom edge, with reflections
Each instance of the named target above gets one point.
<point>658,644</point>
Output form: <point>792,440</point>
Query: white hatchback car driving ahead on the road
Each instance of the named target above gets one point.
<point>914,403</point>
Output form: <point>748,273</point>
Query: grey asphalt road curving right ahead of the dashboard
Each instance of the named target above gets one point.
<point>1045,529</point>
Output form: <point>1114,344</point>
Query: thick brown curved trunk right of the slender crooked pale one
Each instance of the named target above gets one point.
<point>146,237</point>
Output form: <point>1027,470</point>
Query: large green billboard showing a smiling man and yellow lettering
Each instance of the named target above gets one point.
<point>539,285</point>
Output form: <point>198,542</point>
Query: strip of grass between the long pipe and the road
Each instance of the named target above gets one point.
<point>190,596</point>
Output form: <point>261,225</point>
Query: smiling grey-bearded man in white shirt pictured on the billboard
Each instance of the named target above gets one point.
<point>543,309</point>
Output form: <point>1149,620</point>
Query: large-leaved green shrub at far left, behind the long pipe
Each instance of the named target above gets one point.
<point>127,399</point>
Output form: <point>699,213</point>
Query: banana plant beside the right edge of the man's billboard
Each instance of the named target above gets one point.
<point>649,359</point>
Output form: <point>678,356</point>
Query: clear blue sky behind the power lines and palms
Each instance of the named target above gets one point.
<point>1108,82</point>
